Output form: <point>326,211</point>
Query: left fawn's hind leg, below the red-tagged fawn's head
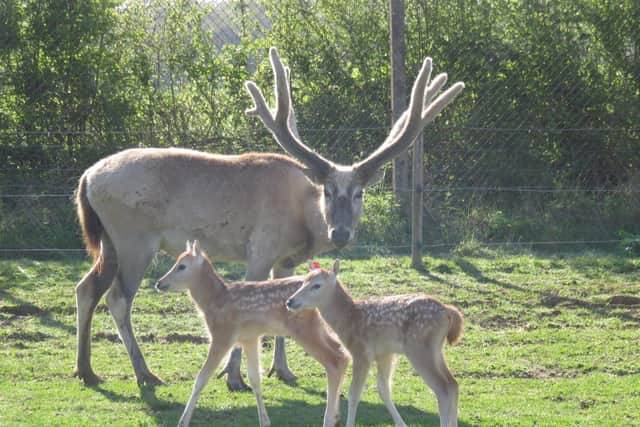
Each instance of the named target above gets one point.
<point>310,332</point>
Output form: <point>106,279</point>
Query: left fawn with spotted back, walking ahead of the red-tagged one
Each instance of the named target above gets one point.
<point>242,313</point>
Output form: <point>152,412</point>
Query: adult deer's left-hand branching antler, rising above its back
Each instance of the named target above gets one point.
<point>282,122</point>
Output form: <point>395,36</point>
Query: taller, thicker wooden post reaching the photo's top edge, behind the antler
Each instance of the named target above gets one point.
<point>398,97</point>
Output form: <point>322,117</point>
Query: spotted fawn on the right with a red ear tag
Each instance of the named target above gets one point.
<point>378,329</point>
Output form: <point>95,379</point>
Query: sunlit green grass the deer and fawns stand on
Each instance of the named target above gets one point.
<point>543,346</point>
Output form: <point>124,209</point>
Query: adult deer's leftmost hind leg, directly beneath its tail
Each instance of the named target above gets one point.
<point>88,293</point>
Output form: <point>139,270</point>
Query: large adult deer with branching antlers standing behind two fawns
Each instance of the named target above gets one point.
<point>266,209</point>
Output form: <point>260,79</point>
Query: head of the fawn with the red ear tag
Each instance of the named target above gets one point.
<point>316,288</point>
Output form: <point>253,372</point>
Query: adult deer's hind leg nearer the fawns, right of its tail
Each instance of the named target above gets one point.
<point>132,261</point>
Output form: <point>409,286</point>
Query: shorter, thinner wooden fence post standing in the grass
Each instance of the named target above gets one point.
<point>417,201</point>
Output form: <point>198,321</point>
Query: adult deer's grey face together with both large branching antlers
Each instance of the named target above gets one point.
<point>343,186</point>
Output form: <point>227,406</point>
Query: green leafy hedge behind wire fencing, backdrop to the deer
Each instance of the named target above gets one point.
<point>542,148</point>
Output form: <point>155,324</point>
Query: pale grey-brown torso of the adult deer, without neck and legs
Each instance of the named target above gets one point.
<point>178,194</point>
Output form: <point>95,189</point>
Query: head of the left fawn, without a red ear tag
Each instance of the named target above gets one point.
<point>186,271</point>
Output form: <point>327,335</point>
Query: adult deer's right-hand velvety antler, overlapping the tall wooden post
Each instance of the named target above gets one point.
<point>421,111</point>
